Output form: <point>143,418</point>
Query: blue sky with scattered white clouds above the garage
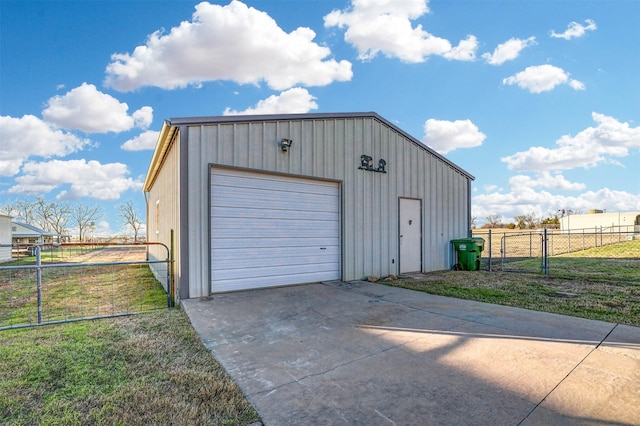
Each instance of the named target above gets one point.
<point>540,100</point>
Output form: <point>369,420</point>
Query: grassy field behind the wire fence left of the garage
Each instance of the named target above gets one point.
<point>82,290</point>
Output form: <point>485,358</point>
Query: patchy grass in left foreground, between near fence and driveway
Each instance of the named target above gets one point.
<point>138,370</point>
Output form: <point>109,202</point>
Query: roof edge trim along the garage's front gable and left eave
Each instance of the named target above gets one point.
<point>170,126</point>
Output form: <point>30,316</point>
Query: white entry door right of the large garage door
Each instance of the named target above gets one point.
<point>410,235</point>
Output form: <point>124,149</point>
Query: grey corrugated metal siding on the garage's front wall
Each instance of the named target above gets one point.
<point>331,149</point>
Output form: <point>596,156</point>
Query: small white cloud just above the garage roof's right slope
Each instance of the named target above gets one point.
<point>445,136</point>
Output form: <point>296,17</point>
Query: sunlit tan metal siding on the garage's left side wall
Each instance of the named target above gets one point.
<point>165,193</point>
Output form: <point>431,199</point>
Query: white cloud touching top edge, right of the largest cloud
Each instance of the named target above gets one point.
<point>385,27</point>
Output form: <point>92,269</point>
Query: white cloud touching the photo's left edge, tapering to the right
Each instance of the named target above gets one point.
<point>29,136</point>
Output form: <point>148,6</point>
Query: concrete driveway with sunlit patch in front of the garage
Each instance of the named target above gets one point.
<point>362,353</point>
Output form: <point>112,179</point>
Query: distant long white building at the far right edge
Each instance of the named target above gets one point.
<point>600,221</point>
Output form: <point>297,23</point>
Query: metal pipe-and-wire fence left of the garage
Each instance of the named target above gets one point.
<point>48,284</point>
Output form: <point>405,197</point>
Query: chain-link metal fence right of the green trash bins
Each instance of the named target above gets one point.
<point>531,251</point>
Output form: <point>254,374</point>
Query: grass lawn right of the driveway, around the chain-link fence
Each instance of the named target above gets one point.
<point>602,283</point>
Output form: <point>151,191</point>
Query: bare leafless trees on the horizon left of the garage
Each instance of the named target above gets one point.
<point>59,217</point>
